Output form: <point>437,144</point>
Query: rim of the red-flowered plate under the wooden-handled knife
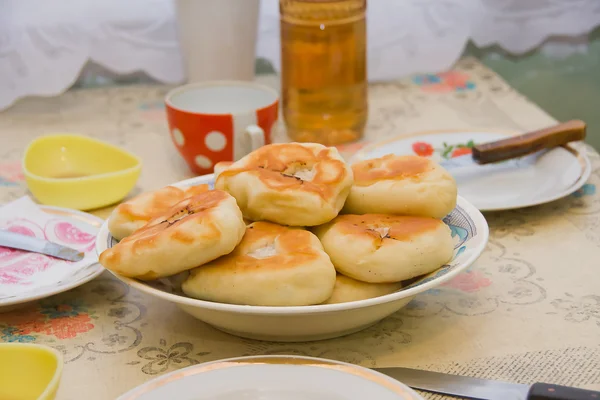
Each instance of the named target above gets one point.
<point>576,149</point>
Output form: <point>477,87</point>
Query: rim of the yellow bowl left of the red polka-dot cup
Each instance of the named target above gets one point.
<point>31,175</point>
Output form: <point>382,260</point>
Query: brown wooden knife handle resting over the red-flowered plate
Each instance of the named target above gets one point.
<point>518,146</point>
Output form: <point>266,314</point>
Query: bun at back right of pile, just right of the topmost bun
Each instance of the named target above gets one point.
<point>401,185</point>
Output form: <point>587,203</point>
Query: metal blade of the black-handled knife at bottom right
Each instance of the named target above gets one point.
<point>463,386</point>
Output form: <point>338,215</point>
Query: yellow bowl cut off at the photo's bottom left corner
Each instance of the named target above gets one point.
<point>29,371</point>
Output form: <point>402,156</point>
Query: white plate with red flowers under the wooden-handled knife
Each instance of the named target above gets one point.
<point>529,181</point>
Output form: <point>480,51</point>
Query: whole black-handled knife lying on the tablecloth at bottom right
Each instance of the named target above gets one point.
<point>483,389</point>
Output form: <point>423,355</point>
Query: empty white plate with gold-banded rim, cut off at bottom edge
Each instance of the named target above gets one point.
<point>273,378</point>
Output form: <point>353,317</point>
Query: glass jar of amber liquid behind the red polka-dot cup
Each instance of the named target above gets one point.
<point>323,70</point>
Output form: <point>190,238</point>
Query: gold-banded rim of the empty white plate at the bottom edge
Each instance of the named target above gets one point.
<point>397,388</point>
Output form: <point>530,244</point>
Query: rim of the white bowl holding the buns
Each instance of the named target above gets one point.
<point>474,229</point>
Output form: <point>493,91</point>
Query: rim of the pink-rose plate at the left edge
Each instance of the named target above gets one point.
<point>83,274</point>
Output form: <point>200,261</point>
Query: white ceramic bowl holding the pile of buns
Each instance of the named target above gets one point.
<point>317,322</point>
